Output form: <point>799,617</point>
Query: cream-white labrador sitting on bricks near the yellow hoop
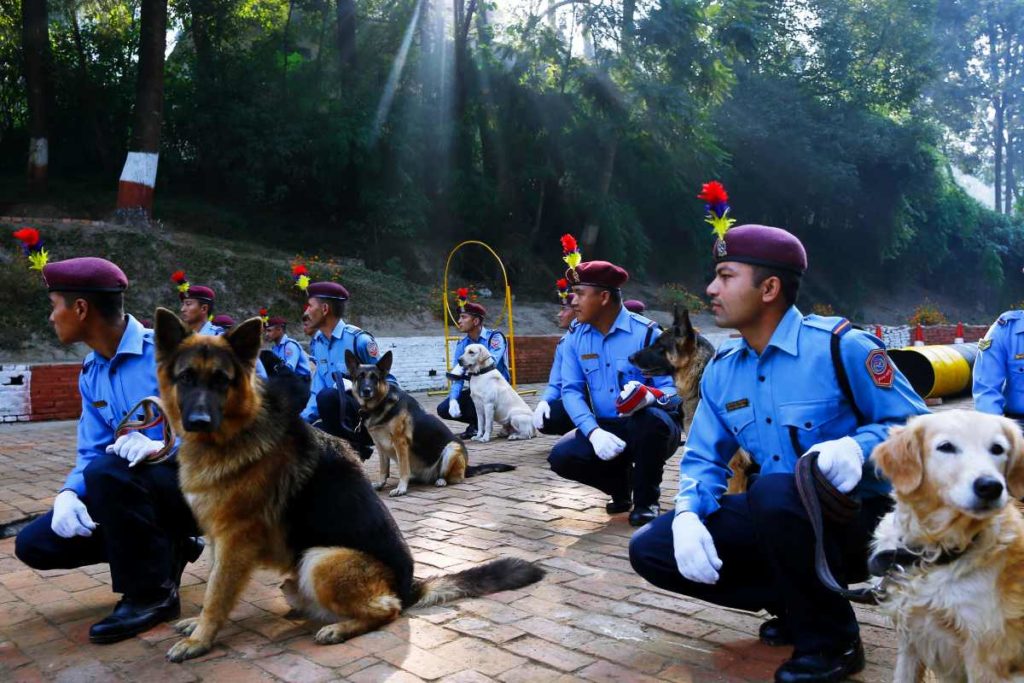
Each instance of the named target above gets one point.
<point>496,401</point>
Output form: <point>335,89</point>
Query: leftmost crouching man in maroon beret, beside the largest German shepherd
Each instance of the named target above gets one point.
<point>113,507</point>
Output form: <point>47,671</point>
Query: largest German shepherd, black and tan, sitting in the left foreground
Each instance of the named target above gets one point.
<point>271,491</point>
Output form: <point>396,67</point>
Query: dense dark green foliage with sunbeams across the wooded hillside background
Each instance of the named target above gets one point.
<point>828,117</point>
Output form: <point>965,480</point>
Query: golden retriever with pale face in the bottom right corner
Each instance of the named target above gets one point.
<point>959,612</point>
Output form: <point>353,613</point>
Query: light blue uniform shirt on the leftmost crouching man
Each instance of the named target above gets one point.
<point>110,389</point>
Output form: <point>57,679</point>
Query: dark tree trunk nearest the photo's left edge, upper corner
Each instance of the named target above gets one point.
<point>36,42</point>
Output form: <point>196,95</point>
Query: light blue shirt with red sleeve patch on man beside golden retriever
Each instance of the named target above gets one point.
<point>780,405</point>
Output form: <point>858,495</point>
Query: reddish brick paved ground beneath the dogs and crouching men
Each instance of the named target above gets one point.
<point>591,619</point>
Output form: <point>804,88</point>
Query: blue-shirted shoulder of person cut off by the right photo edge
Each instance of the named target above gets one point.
<point>999,370</point>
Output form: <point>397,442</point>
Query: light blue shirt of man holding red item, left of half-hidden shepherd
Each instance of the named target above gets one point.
<point>602,364</point>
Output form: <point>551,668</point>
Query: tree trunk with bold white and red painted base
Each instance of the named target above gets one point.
<point>140,176</point>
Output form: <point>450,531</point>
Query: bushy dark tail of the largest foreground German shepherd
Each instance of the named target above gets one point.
<point>504,575</point>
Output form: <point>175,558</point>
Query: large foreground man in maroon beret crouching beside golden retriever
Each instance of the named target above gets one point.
<point>779,393</point>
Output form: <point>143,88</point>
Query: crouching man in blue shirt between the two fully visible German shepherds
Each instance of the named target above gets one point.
<point>331,404</point>
